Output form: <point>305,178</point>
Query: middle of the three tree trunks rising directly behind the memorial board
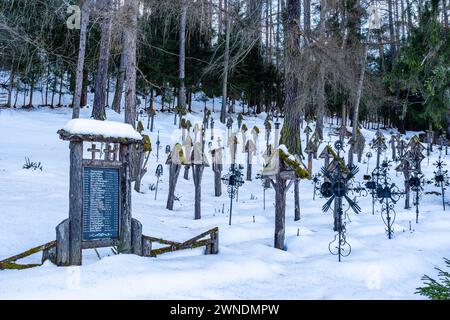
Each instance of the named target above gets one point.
<point>98,110</point>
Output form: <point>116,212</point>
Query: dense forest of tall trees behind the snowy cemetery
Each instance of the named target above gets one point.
<point>381,63</point>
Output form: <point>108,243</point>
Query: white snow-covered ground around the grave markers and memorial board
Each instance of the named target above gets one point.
<point>32,203</point>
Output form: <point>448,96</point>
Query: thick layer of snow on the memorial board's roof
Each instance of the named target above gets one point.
<point>95,128</point>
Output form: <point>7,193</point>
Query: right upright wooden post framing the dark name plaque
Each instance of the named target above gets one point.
<point>125,223</point>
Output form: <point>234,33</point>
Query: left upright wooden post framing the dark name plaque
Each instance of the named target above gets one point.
<point>75,202</point>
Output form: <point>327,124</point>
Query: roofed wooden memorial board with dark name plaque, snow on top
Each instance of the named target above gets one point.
<point>100,191</point>
